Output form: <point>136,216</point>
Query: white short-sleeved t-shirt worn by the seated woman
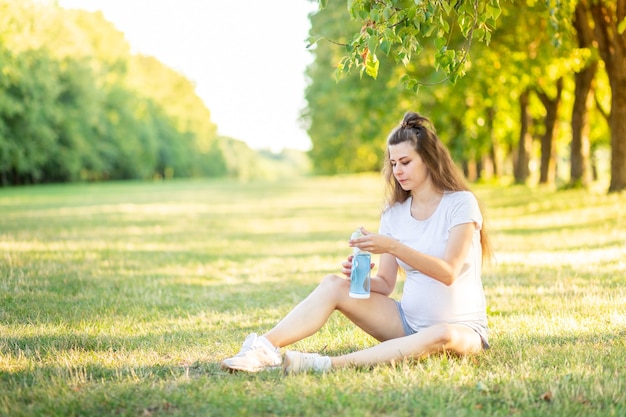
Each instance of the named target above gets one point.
<point>425,300</point>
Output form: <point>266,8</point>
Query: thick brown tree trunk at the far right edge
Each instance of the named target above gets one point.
<point>607,15</point>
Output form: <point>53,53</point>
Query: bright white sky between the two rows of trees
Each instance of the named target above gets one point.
<point>246,57</point>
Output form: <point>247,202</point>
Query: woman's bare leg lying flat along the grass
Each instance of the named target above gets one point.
<point>442,337</point>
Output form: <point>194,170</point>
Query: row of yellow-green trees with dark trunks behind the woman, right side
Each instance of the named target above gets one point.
<point>550,73</point>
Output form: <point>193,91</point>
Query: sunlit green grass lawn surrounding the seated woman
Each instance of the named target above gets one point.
<point>121,299</point>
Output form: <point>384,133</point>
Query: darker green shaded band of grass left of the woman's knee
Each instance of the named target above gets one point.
<point>160,298</point>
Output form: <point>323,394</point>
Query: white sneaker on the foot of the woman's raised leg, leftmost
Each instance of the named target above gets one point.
<point>254,356</point>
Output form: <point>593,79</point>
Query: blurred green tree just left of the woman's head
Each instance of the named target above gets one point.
<point>345,119</point>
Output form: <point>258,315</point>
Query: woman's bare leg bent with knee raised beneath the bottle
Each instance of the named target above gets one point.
<point>378,315</point>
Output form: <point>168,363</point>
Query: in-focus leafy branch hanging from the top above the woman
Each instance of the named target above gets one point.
<point>400,28</point>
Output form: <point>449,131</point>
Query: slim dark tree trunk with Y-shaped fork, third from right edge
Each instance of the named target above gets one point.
<point>548,140</point>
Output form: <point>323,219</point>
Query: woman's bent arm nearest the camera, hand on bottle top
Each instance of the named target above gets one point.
<point>444,269</point>
